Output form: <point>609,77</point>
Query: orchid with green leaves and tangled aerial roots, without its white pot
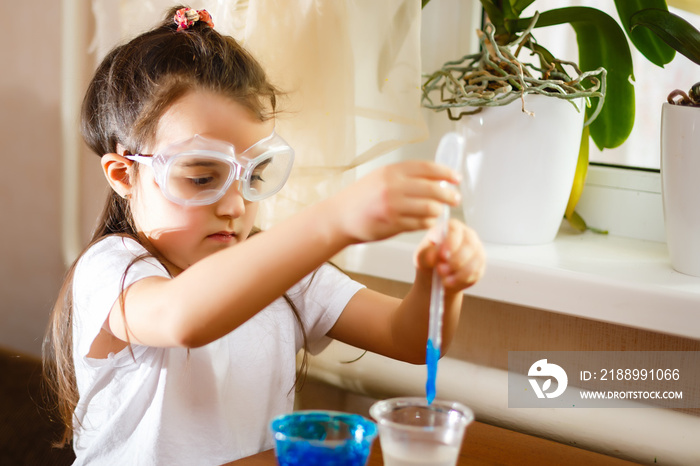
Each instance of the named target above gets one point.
<point>603,73</point>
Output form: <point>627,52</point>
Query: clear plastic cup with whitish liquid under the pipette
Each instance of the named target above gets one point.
<point>413,432</point>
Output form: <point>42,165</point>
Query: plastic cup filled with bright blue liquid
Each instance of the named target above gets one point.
<point>316,438</point>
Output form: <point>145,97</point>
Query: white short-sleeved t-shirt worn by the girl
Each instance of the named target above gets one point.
<point>207,406</point>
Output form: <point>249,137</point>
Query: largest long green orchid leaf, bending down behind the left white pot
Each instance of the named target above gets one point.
<point>601,43</point>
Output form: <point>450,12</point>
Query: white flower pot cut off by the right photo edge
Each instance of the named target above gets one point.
<point>680,185</point>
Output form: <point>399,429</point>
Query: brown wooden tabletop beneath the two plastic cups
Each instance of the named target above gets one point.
<point>485,444</point>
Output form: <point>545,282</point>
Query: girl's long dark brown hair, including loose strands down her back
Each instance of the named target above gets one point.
<point>130,91</point>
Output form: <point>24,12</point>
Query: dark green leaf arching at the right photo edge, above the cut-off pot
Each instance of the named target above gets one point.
<point>672,29</point>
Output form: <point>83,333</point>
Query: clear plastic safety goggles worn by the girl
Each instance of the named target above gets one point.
<point>199,171</point>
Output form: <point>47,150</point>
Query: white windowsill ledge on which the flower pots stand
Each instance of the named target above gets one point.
<point>602,277</point>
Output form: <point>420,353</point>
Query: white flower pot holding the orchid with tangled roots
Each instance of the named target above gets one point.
<point>519,169</point>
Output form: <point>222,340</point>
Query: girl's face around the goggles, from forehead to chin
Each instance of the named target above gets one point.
<point>185,234</point>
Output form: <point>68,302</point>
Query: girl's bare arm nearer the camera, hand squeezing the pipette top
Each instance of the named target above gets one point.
<point>220,292</point>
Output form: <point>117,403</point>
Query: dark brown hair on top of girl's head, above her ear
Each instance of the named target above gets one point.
<point>138,81</point>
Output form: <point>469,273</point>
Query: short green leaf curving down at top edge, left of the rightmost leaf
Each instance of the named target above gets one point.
<point>648,44</point>
